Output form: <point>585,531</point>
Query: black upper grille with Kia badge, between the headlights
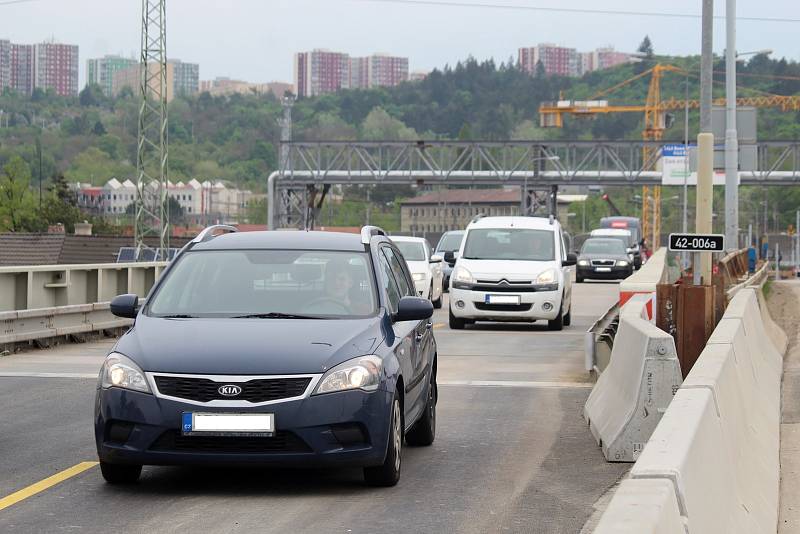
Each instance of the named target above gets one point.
<point>255,391</point>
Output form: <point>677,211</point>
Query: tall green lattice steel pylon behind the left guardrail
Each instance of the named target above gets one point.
<point>152,155</point>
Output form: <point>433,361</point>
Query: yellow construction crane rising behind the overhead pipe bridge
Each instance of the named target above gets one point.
<point>654,109</point>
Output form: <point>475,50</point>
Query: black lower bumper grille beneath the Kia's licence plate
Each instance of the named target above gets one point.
<point>282,441</point>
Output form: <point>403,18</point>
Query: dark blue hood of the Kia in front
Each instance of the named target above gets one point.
<point>248,346</point>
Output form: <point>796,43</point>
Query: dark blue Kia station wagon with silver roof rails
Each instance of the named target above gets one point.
<point>275,349</point>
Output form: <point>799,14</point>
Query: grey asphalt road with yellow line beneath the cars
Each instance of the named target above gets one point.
<point>512,451</point>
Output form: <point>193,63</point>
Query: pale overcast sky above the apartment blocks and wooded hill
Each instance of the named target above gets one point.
<point>255,40</point>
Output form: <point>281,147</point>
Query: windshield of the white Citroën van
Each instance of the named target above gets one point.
<point>510,244</point>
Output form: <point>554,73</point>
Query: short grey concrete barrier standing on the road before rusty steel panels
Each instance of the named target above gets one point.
<point>635,389</point>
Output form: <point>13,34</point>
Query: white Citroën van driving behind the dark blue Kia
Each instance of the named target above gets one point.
<point>512,269</point>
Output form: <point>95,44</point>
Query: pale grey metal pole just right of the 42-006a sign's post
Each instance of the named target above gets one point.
<point>731,136</point>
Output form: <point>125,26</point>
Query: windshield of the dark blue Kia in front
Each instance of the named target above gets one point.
<point>236,283</point>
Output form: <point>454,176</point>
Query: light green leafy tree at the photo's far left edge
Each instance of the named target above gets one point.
<point>17,203</point>
